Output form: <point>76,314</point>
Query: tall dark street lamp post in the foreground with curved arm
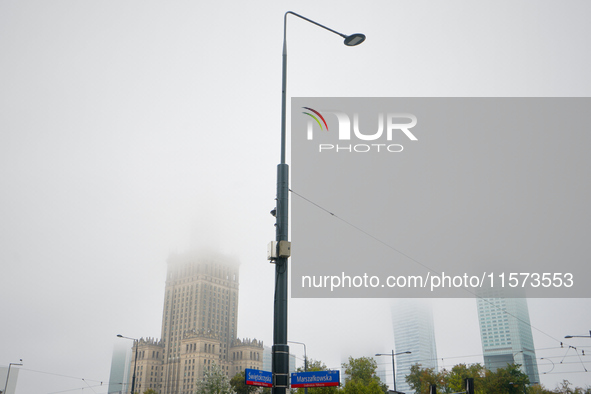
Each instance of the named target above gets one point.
<point>280,353</point>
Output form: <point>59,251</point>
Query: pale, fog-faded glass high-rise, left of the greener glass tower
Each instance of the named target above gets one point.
<point>412,322</point>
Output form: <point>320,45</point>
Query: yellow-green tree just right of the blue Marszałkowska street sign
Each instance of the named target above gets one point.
<point>361,377</point>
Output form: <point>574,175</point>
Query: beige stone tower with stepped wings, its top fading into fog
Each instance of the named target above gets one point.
<point>199,326</point>
